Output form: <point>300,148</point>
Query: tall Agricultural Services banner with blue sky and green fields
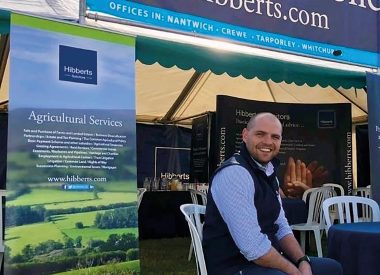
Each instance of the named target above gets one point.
<point>71,169</point>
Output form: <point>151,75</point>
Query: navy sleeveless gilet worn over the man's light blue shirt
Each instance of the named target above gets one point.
<point>222,256</point>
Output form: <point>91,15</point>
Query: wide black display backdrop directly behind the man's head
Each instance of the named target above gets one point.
<point>318,135</point>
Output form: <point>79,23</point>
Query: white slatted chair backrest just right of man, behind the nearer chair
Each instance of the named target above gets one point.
<point>314,197</point>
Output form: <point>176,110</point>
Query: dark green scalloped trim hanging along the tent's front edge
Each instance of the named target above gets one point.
<point>185,56</point>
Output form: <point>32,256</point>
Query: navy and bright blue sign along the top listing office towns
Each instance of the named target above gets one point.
<point>339,30</point>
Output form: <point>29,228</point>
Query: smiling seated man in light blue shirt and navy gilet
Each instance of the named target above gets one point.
<point>245,230</point>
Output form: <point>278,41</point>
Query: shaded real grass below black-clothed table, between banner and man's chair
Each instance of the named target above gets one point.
<point>166,257</point>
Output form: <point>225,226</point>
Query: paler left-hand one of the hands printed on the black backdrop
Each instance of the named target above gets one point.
<point>297,178</point>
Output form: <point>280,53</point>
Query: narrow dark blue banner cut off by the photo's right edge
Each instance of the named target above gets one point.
<point>373,99</point>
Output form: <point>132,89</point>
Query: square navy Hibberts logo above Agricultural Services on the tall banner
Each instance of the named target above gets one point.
<point>77,65</point>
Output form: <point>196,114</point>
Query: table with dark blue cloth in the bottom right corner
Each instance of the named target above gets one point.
<point>356,246</point>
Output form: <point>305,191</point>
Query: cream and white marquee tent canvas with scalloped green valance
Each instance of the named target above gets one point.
<point>176,81</point>
